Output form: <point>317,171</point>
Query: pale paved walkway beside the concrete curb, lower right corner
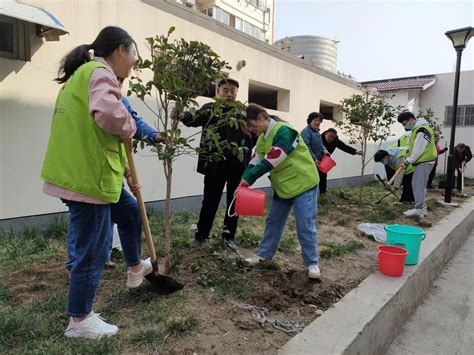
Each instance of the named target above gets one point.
<point>444,322</point>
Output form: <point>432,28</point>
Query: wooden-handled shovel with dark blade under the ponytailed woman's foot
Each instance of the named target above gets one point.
<point>163,283</point>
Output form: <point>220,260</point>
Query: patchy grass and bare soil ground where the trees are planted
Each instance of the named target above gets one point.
<point>204,317</point>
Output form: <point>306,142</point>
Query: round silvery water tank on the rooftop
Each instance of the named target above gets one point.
<point>322,51</point>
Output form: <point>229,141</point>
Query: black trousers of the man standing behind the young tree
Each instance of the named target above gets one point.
<point>230,173</point>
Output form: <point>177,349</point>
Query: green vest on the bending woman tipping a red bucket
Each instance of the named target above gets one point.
<point>297,173</point>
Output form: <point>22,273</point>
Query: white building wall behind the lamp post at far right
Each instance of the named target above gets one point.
<point>440,95</point>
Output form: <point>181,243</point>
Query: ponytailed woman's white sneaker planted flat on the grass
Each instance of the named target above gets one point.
<point>92,327</point>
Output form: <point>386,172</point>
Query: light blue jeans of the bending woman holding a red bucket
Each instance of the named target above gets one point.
<point>305,207</point>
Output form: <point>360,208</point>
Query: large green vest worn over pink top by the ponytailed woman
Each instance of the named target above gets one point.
<point>81,156</point>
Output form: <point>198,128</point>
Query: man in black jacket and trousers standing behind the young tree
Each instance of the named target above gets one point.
<point>218,173</point>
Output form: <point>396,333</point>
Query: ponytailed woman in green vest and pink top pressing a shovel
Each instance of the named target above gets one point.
<point>84,166</point>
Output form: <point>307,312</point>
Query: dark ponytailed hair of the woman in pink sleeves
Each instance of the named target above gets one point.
<point>108,40</point>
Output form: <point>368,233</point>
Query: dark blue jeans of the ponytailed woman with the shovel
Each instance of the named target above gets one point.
<point>89,238</point>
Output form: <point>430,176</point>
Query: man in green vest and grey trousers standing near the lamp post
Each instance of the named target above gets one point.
<point>422,155</point>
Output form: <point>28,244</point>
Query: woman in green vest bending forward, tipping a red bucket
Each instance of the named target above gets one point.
<point>281,151</point>
